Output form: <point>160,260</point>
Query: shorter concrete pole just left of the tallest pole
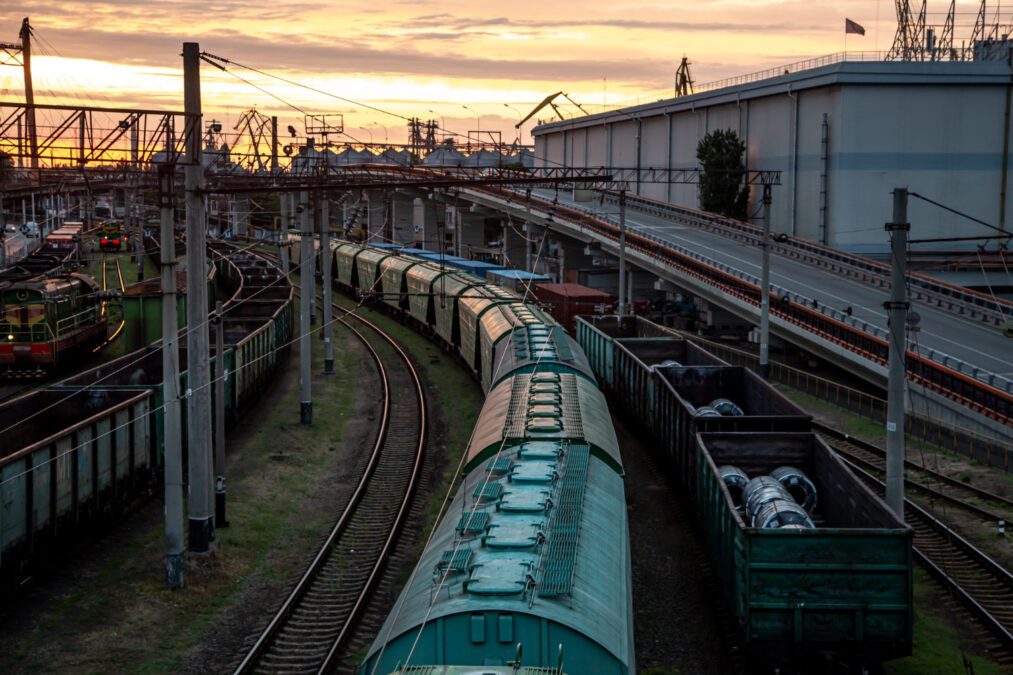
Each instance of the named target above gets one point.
<point>171,387</point>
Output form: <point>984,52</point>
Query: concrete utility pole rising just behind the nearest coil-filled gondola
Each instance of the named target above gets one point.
<point>898,311</point>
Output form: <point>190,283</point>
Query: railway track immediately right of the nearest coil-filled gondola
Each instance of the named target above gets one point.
<point>968,574</point>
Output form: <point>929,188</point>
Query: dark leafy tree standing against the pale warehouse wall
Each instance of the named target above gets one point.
<point>722,190</point>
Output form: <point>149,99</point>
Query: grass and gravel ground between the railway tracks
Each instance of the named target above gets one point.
<point>111,612</point>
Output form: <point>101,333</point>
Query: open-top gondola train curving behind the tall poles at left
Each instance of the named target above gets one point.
<point>81,451</point>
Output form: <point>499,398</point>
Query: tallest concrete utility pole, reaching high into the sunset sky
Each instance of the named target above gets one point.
<point>201,510</point>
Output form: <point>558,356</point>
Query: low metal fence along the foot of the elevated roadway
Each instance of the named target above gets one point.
<point>966,442</point>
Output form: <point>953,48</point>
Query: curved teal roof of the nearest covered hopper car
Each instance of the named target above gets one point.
<point>485,558</point>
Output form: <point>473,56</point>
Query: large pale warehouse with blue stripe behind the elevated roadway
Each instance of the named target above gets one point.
<point>843,136</point>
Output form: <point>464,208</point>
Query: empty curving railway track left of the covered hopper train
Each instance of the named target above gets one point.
<point>317,621</point>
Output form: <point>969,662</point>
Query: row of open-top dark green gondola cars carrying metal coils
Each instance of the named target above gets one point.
<point>837,591</point>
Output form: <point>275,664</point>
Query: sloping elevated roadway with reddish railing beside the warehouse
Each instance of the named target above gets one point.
<point>963,371</point>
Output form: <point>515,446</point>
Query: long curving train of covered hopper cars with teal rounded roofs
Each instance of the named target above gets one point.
<point>530,568</point>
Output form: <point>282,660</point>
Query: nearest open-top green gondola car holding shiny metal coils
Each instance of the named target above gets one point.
<point>843,587</point>
